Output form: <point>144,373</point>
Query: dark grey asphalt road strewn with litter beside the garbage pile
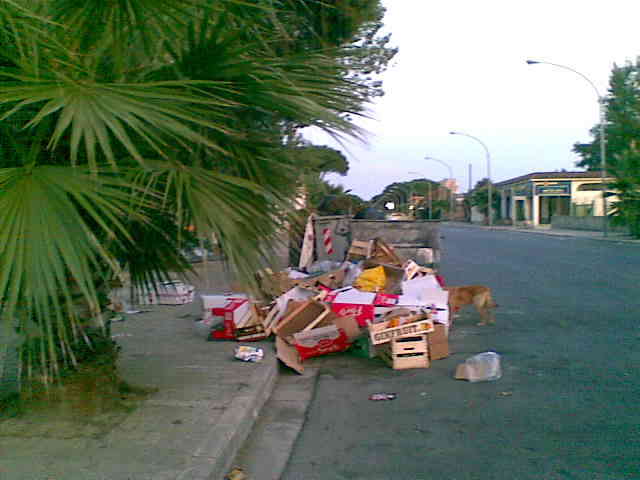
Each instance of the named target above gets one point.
<point>565,408</point>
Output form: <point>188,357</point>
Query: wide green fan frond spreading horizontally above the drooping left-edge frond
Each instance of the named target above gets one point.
<point>158,115</point>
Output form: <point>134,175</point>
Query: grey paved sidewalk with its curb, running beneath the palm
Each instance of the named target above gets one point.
<point>190,429</point>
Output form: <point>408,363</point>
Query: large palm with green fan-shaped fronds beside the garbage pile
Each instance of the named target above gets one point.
<point>130,120</point>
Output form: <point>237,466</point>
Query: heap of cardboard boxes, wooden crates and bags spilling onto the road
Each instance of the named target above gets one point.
<point>374,304</point>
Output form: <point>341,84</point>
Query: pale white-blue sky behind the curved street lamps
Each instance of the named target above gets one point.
<point>462,67</point>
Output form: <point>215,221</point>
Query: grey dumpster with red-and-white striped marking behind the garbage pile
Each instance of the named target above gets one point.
<point>407,237</point>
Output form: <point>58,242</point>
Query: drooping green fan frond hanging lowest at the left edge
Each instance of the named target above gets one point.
<point>49,249</point>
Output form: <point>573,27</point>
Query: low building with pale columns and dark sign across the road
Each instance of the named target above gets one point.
<point>533,199</point>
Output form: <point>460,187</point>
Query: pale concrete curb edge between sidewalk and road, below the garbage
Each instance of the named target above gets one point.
<point>213,458</point>
